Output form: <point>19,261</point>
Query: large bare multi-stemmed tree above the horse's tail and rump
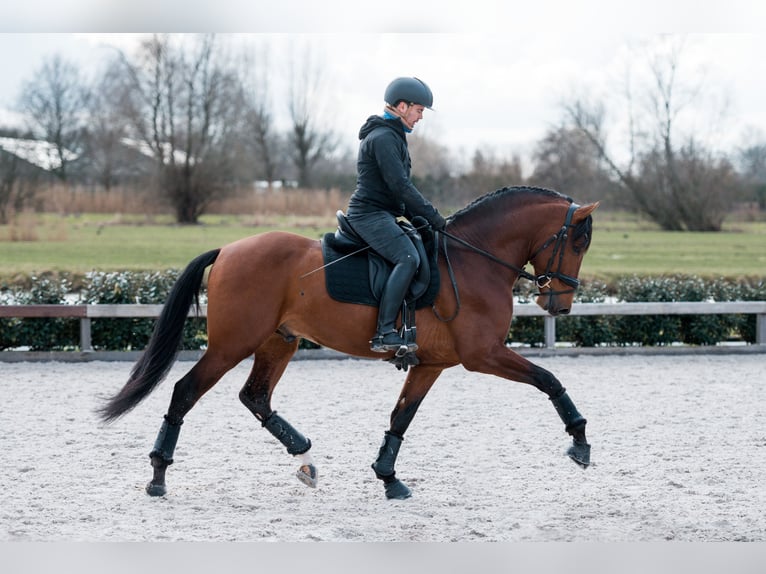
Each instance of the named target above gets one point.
<point>180,104</point>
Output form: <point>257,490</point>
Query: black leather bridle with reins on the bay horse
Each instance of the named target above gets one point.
<point>543,281</point>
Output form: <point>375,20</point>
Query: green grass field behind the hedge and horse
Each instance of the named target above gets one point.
<point>621,245</point>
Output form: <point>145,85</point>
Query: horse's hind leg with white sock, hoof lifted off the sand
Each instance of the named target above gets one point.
<point>270,362</point>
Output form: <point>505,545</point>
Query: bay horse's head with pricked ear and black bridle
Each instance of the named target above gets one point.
<point>557,260</point>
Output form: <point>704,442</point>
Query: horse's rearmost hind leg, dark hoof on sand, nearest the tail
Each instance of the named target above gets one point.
<point>187,391</point>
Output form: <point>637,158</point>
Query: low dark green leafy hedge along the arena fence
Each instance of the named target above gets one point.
<point>585,331</point>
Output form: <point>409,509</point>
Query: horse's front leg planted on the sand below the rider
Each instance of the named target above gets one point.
<point>416,386</point>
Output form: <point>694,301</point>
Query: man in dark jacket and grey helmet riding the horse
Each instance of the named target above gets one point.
<point>384,191</point>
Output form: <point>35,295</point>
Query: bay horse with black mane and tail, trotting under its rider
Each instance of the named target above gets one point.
<point>267,291</point>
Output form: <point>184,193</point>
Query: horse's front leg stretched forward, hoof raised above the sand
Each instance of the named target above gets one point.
<point>508,364</point>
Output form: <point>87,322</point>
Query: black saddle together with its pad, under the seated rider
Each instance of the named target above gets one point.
<point>356,274</point>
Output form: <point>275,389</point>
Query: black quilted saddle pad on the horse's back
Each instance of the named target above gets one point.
<point>359,278</point>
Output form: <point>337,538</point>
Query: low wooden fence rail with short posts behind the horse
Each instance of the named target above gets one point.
<point>88,312</point>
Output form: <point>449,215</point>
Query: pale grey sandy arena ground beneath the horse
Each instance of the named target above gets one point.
<point>679,452</point>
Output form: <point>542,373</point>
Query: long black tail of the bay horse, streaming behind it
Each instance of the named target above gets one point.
<point>164,344</point>
